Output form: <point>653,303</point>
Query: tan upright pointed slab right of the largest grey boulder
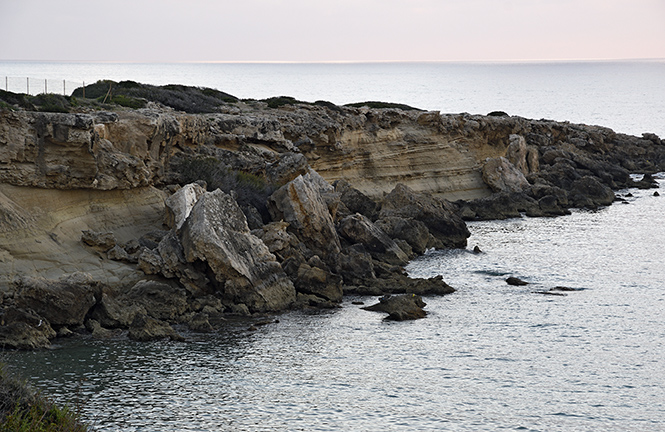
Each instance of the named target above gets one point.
<point>301,205</point>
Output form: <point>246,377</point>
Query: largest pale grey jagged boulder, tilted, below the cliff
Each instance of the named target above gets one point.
<point>216,233</point>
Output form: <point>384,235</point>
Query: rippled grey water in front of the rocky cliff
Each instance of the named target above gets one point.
<point>488,357</point>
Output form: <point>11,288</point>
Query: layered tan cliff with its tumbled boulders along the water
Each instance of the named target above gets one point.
<point>133,220</point>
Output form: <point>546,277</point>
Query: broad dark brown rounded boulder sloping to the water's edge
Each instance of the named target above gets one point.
<point>438,215</point>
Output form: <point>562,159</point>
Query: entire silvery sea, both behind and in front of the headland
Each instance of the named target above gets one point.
<point>488,357</point>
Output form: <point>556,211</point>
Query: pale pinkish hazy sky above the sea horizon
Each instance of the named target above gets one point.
<point>333,30</point>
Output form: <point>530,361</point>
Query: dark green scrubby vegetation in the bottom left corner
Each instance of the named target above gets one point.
<point>21,410</point>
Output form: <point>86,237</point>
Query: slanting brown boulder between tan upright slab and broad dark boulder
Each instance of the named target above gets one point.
<point>359,229</point>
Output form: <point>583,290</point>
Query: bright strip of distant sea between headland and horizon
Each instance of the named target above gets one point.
<point>626,96</point>
